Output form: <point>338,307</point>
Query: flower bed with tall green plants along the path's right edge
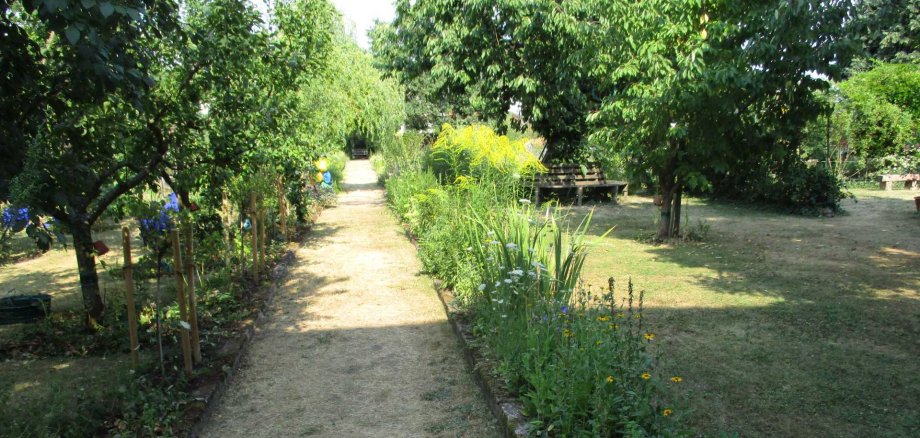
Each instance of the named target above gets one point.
<point>577,359</point>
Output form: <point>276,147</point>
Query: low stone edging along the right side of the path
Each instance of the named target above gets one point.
<point>508,411</point>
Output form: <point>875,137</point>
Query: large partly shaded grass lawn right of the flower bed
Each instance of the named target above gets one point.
<point>781,325</point>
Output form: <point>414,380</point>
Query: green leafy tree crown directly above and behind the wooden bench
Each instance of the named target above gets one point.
<point>499,53</point>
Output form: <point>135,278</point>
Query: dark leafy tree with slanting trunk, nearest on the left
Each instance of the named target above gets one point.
<point>81,138</point>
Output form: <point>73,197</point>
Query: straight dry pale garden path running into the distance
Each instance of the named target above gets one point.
<point>356,343</point>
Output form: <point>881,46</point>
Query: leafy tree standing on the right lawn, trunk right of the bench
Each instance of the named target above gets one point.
<point>699,88</point>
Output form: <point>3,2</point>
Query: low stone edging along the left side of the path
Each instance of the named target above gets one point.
<point>237,346</point>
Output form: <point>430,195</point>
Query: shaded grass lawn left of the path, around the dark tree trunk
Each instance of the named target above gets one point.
<point>66,395</point>
